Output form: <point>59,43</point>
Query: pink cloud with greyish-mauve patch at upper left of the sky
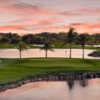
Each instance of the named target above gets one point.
<point>25,9</point>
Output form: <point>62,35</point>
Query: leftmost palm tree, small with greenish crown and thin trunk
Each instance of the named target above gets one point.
<point>21,46</point>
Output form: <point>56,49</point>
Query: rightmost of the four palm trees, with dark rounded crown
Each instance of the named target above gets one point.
<point>82,40</point>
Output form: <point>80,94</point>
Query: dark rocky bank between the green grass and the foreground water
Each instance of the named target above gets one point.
<point>51,77</point>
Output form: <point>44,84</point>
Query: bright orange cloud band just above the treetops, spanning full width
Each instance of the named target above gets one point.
<point>80,28</point>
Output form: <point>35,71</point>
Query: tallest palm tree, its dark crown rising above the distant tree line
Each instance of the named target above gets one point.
<point>70,38</point>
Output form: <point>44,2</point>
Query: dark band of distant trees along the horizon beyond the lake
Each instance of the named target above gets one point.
<point>14,38</point>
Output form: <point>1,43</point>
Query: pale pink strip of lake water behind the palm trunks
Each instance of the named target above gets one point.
<point>37,53</point>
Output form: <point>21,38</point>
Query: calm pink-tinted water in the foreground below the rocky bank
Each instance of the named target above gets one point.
<point>62,90</point>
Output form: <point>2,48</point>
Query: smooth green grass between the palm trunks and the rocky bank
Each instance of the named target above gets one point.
<point>11,70</point>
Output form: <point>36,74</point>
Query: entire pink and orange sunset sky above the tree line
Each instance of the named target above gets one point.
<point>33,16</point>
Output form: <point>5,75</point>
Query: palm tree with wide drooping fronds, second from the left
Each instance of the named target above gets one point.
<point>47,46</point>
